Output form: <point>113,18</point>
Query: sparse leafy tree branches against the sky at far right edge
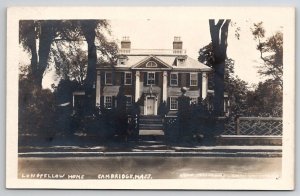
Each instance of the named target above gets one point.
<point>271,52</point>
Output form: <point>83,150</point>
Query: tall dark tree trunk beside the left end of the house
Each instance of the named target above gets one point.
<point>88,29</point>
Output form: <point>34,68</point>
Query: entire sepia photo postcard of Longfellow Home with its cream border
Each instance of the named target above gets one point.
<point>150,98</point>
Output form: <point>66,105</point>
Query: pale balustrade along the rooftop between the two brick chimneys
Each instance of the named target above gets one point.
<point>152,51</point>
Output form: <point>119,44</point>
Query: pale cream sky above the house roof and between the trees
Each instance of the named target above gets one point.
<point>159,34</point>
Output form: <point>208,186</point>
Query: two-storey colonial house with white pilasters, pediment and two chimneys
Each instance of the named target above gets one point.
<point>151,77</point>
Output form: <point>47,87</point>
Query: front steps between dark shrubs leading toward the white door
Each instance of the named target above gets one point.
<point>151,125</point>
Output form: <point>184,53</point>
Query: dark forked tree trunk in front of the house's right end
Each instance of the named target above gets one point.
<point>219,33</point>
